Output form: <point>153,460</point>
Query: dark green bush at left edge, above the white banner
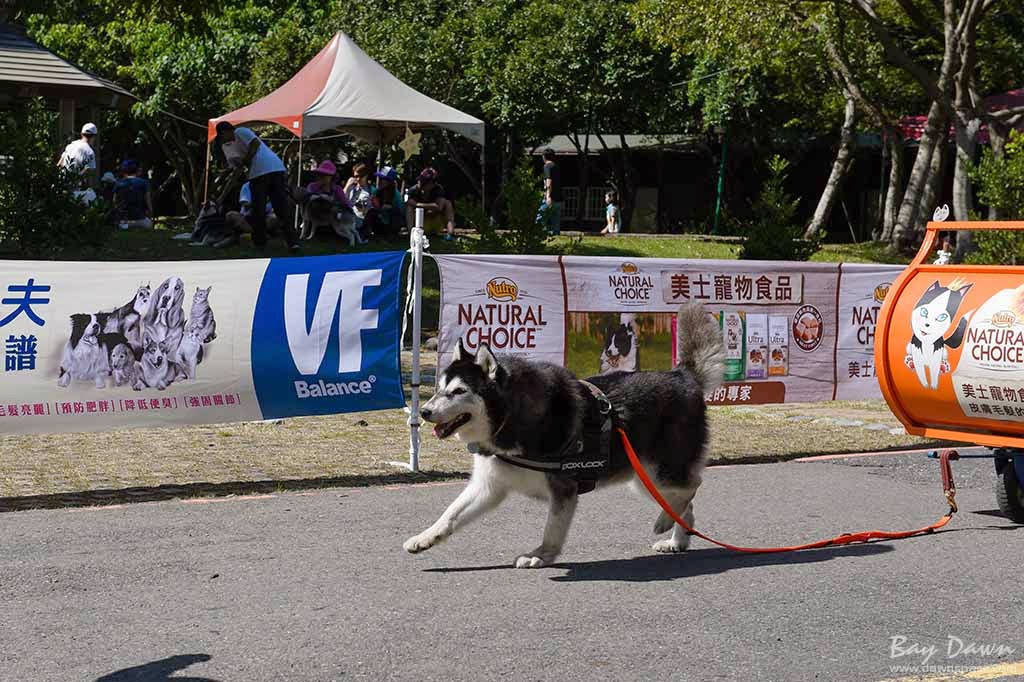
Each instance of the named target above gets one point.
<point>41,219</point>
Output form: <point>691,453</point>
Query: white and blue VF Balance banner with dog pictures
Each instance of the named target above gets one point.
<point>96,347</point>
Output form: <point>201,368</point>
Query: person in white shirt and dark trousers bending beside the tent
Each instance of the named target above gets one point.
<point>267,179</point>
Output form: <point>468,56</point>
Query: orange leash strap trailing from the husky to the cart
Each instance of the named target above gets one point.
<point>950,489</point>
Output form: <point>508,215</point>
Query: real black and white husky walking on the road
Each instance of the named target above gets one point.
<point>509,407</point>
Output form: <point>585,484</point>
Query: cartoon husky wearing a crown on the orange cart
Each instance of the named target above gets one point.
<point>932,318</point>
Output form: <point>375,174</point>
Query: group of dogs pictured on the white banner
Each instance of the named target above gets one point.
<point>146,344</point>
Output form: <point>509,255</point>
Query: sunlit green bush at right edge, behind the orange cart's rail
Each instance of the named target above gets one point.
<point>1001,185</point>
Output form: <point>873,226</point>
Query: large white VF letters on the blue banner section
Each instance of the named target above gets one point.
<point>309,344</point>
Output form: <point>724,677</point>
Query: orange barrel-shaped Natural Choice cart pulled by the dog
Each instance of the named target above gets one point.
<point>950,349</point>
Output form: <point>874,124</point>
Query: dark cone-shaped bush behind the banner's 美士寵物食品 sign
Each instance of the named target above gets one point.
<point>775,234</point>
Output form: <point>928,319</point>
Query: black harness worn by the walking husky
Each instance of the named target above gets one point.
<point>587,454</point>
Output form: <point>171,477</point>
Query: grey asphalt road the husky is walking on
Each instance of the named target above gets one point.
<point>315,586</point>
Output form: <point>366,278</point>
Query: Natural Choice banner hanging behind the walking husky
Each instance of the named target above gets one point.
<point>793,332</point>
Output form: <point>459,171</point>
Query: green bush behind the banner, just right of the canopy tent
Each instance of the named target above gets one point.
<point>525,232</point>
